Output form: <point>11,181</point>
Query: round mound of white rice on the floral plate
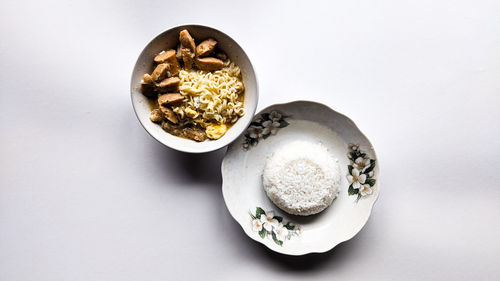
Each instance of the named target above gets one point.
<point>302,178</point>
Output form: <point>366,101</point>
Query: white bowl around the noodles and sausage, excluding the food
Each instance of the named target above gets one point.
<point>169,40</point>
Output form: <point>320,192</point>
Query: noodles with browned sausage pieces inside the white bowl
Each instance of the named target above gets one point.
<point>196,91</point>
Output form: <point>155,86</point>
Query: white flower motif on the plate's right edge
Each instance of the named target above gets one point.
<point>361,172</point>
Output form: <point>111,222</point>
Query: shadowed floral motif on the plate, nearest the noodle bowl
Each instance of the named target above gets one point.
<point>263,126</point>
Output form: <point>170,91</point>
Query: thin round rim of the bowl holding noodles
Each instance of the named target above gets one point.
<point>182,148</point>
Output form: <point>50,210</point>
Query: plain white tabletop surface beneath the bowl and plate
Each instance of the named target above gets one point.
<point>87,194</point>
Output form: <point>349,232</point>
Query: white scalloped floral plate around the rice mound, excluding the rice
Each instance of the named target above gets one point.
<point>263,221</point>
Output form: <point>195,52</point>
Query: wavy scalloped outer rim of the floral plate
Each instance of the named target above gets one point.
<point>327,246</point>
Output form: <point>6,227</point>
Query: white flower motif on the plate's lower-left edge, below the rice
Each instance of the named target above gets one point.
<point>267,224</point>
